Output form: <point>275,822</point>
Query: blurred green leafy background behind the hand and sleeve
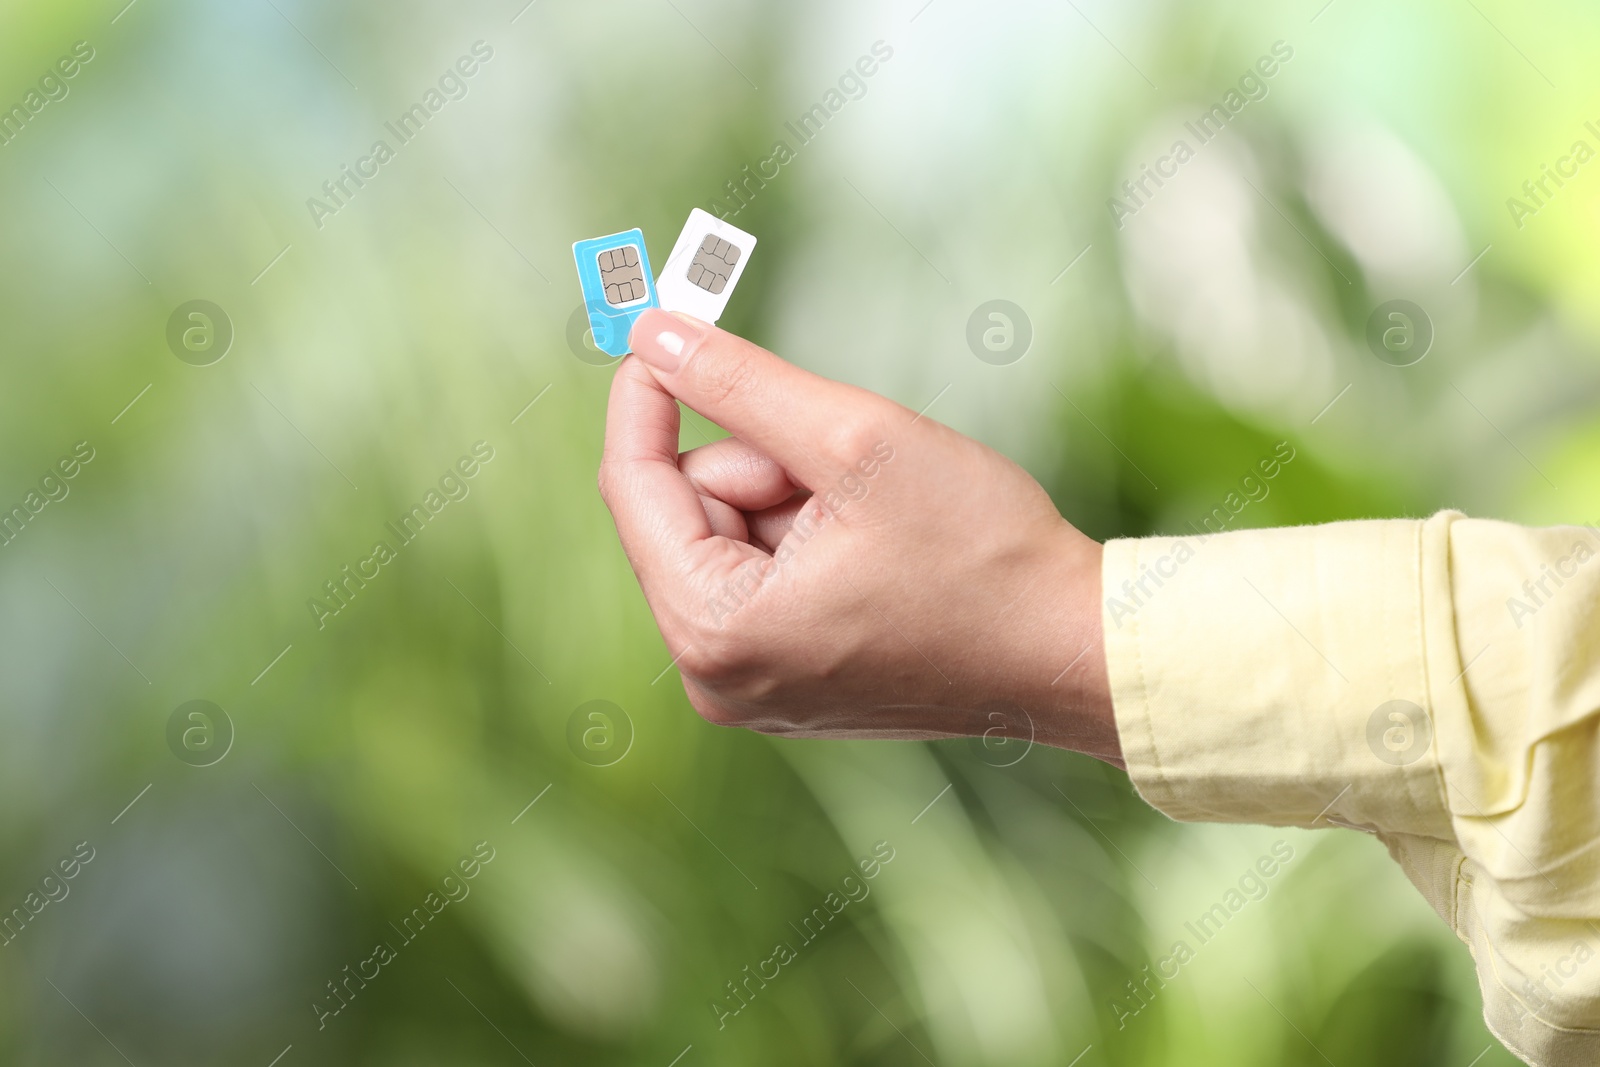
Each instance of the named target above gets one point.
<point>372,756</point>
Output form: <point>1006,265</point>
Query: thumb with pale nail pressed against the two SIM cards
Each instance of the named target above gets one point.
<point>812,426</point>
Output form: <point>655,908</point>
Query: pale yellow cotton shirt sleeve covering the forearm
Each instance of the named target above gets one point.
<point>1433,682</point>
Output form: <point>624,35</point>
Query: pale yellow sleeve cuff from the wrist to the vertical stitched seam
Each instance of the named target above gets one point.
<point>1286,676</point>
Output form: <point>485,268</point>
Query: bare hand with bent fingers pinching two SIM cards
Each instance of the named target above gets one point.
<point>842,567</point>
